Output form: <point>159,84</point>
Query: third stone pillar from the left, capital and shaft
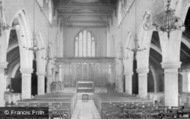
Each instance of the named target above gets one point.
<point>41,83</point>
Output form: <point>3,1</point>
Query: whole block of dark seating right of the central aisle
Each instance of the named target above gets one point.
<point>122,106</point>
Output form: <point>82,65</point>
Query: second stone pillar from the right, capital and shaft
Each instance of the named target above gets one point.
<point>142,82</point>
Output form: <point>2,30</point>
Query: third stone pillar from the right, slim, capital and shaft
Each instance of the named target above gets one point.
<point>128,82</point>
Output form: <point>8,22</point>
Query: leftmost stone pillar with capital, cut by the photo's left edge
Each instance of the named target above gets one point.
<point>3,65</point>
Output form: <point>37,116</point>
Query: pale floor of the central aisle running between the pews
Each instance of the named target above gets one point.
<point>85,110</point>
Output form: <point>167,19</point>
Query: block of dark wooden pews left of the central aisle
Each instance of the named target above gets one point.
<point>60,105</point>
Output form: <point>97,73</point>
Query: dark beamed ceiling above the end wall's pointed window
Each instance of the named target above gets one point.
<point>93,13</point>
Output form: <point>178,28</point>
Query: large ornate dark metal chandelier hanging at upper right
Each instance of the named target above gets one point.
<point>165,21</point>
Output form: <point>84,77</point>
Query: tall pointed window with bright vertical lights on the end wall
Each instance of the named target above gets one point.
<point>84,44</point>
